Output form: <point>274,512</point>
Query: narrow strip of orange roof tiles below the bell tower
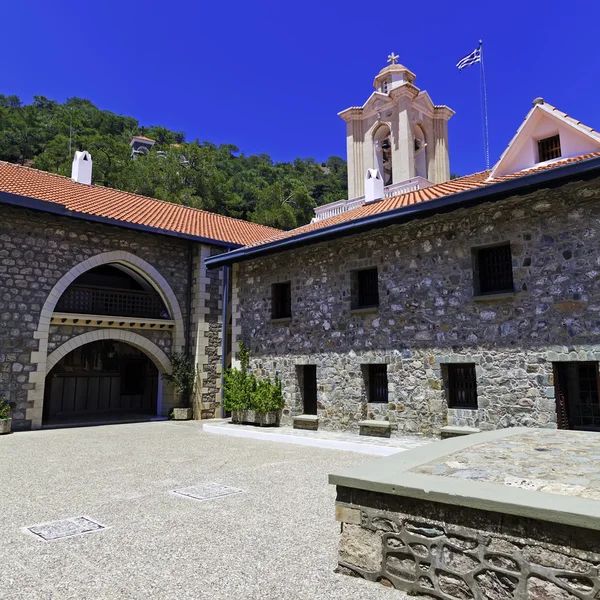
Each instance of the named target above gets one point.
<point>461,184</point>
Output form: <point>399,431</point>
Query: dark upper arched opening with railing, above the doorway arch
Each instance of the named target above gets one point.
<point>112,290</point>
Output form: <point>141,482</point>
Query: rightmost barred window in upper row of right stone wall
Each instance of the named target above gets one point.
<point>492,270</point>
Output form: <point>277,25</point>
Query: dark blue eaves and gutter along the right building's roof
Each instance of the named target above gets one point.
<point>447,203</point>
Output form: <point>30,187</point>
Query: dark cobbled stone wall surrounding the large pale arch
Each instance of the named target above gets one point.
<point>36,250</point>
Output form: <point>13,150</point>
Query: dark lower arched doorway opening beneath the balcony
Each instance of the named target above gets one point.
<point>101,380</point>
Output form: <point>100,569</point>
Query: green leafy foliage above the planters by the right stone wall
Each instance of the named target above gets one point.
<point>244,391</point>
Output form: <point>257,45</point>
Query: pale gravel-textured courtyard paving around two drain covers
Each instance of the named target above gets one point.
<point>277,539</point>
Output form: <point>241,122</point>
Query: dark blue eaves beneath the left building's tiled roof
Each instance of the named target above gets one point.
<point>61,210</point>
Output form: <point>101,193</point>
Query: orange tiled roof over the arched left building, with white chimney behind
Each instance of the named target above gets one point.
<point>123,206</point>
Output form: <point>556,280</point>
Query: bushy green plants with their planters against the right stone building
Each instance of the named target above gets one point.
<point>250,399</point>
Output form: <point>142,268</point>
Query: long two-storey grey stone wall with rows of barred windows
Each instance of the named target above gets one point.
<point>428,316</point>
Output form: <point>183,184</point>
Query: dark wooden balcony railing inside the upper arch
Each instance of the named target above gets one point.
<point>92,300</point>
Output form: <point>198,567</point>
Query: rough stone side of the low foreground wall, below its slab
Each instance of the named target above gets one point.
<point>426,548</point>
